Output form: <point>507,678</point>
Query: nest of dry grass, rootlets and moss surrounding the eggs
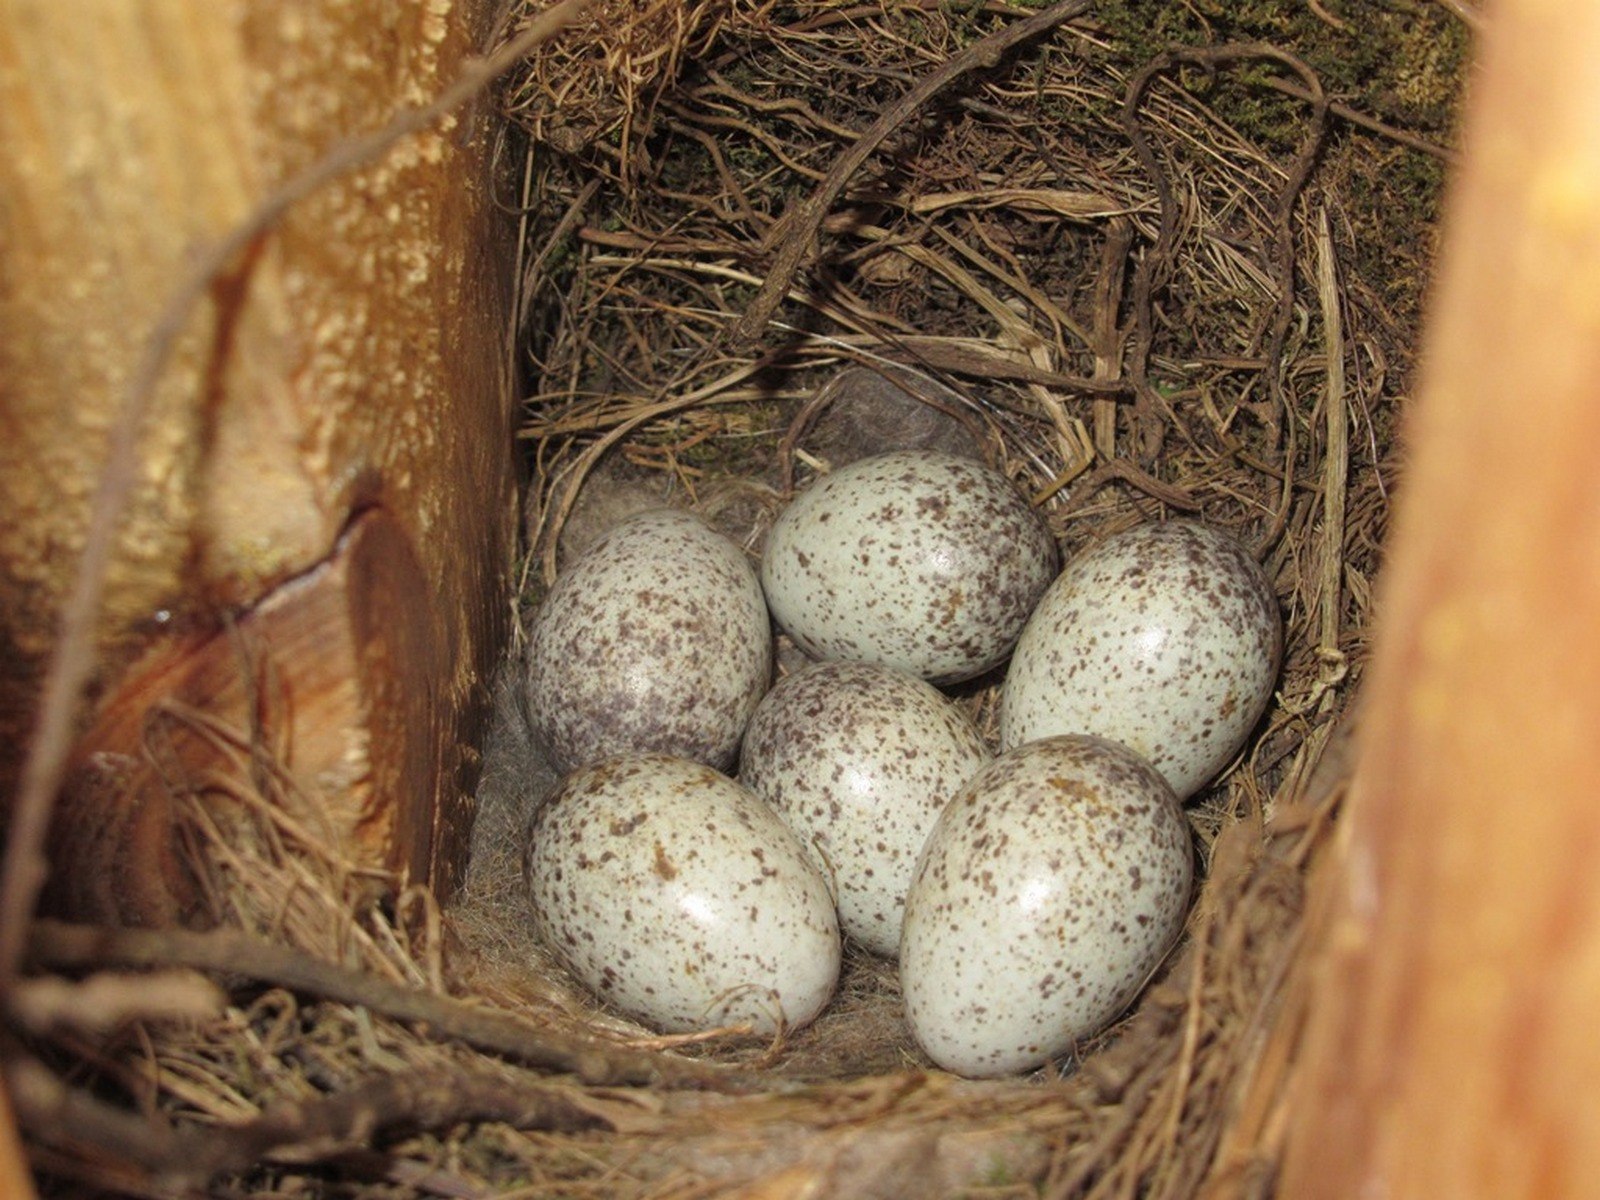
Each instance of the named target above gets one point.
<point>1129,268</point>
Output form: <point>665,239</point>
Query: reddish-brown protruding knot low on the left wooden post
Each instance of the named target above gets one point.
<point>316,678</point>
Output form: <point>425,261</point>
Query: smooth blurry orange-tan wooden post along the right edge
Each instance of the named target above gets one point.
<point>1454,1041</point>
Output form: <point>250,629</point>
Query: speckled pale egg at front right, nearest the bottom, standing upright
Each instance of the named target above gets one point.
<point>1049,892</point>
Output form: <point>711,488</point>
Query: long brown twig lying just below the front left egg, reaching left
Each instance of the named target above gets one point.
<point>65,946</point>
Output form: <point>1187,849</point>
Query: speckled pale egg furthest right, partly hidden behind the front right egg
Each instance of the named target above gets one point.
<point>1166,639</point>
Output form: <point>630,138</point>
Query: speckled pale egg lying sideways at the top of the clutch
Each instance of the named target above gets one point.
<point>916,559</point>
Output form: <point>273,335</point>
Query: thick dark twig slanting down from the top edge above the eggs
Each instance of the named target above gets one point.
<point>798,233</point>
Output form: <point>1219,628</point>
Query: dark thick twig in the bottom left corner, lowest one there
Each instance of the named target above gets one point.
<point>302,1134</point>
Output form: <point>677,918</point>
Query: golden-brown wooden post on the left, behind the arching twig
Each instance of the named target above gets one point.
<point>338,415</point>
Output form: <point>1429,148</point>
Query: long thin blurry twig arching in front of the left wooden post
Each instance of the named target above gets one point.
<point>73,660</point>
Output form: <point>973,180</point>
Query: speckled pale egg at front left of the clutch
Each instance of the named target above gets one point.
<point>681,898</point>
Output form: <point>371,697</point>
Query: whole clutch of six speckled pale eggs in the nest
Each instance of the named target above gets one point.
<point>1047,890</point>
